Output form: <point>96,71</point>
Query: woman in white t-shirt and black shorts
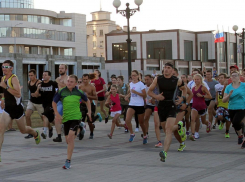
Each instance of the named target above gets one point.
<point>136,105</point>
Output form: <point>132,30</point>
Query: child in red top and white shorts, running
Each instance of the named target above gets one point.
<point>113,102</point>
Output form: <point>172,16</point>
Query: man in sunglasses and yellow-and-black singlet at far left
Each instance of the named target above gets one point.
<point>13,106</point>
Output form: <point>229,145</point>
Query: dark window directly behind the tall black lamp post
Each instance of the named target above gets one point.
<point>120,51</point>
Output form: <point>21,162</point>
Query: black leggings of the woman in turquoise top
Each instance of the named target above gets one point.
<point>236,117</point>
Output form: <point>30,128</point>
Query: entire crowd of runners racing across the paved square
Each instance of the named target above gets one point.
<point>180,104</point>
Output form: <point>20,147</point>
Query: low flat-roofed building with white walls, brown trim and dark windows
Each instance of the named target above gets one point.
<point>186,49</point>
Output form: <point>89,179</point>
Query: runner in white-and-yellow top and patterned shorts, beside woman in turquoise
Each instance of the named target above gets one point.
<point>222,108</point>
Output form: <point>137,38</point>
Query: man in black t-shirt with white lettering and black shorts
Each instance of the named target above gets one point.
<point>47,89</point>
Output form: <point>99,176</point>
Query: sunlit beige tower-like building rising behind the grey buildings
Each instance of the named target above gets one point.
<point>100,25</point>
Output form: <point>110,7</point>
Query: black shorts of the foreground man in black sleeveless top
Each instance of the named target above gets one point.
<point>166,110</point>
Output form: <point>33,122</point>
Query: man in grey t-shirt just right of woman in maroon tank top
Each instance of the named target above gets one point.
<point>211,103</point>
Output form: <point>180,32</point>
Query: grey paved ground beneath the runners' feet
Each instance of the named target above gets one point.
<point>210,158</point>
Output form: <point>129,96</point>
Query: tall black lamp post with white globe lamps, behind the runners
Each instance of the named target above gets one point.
<point>128,13</point>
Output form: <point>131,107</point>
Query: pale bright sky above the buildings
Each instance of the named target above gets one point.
<point>193,15</point>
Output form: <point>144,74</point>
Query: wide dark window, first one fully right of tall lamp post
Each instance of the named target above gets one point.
<point>159,49</point>
